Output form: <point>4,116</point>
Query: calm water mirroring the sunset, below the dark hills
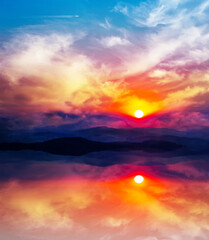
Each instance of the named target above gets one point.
<point>44,197</point>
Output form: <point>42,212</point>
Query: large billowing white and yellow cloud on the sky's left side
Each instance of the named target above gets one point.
<point>47,74</point>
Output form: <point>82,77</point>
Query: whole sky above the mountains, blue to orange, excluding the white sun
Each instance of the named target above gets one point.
<point>94,63</point>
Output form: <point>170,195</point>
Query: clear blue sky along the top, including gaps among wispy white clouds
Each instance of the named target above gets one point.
<point>19,13</point>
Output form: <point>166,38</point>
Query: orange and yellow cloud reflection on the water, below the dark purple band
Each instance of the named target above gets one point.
<point>79,206</point>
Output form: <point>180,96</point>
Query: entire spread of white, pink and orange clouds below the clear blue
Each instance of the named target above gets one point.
<point>76,72</point>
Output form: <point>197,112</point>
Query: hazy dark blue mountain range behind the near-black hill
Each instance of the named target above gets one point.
<point>101,134</point>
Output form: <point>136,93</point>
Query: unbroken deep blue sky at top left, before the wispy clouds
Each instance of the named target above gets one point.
<point>23,12</point>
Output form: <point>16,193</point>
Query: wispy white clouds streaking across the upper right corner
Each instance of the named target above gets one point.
<point>169,43</point>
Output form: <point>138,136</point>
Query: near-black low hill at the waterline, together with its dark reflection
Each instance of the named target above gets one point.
<point>76,146</point>
